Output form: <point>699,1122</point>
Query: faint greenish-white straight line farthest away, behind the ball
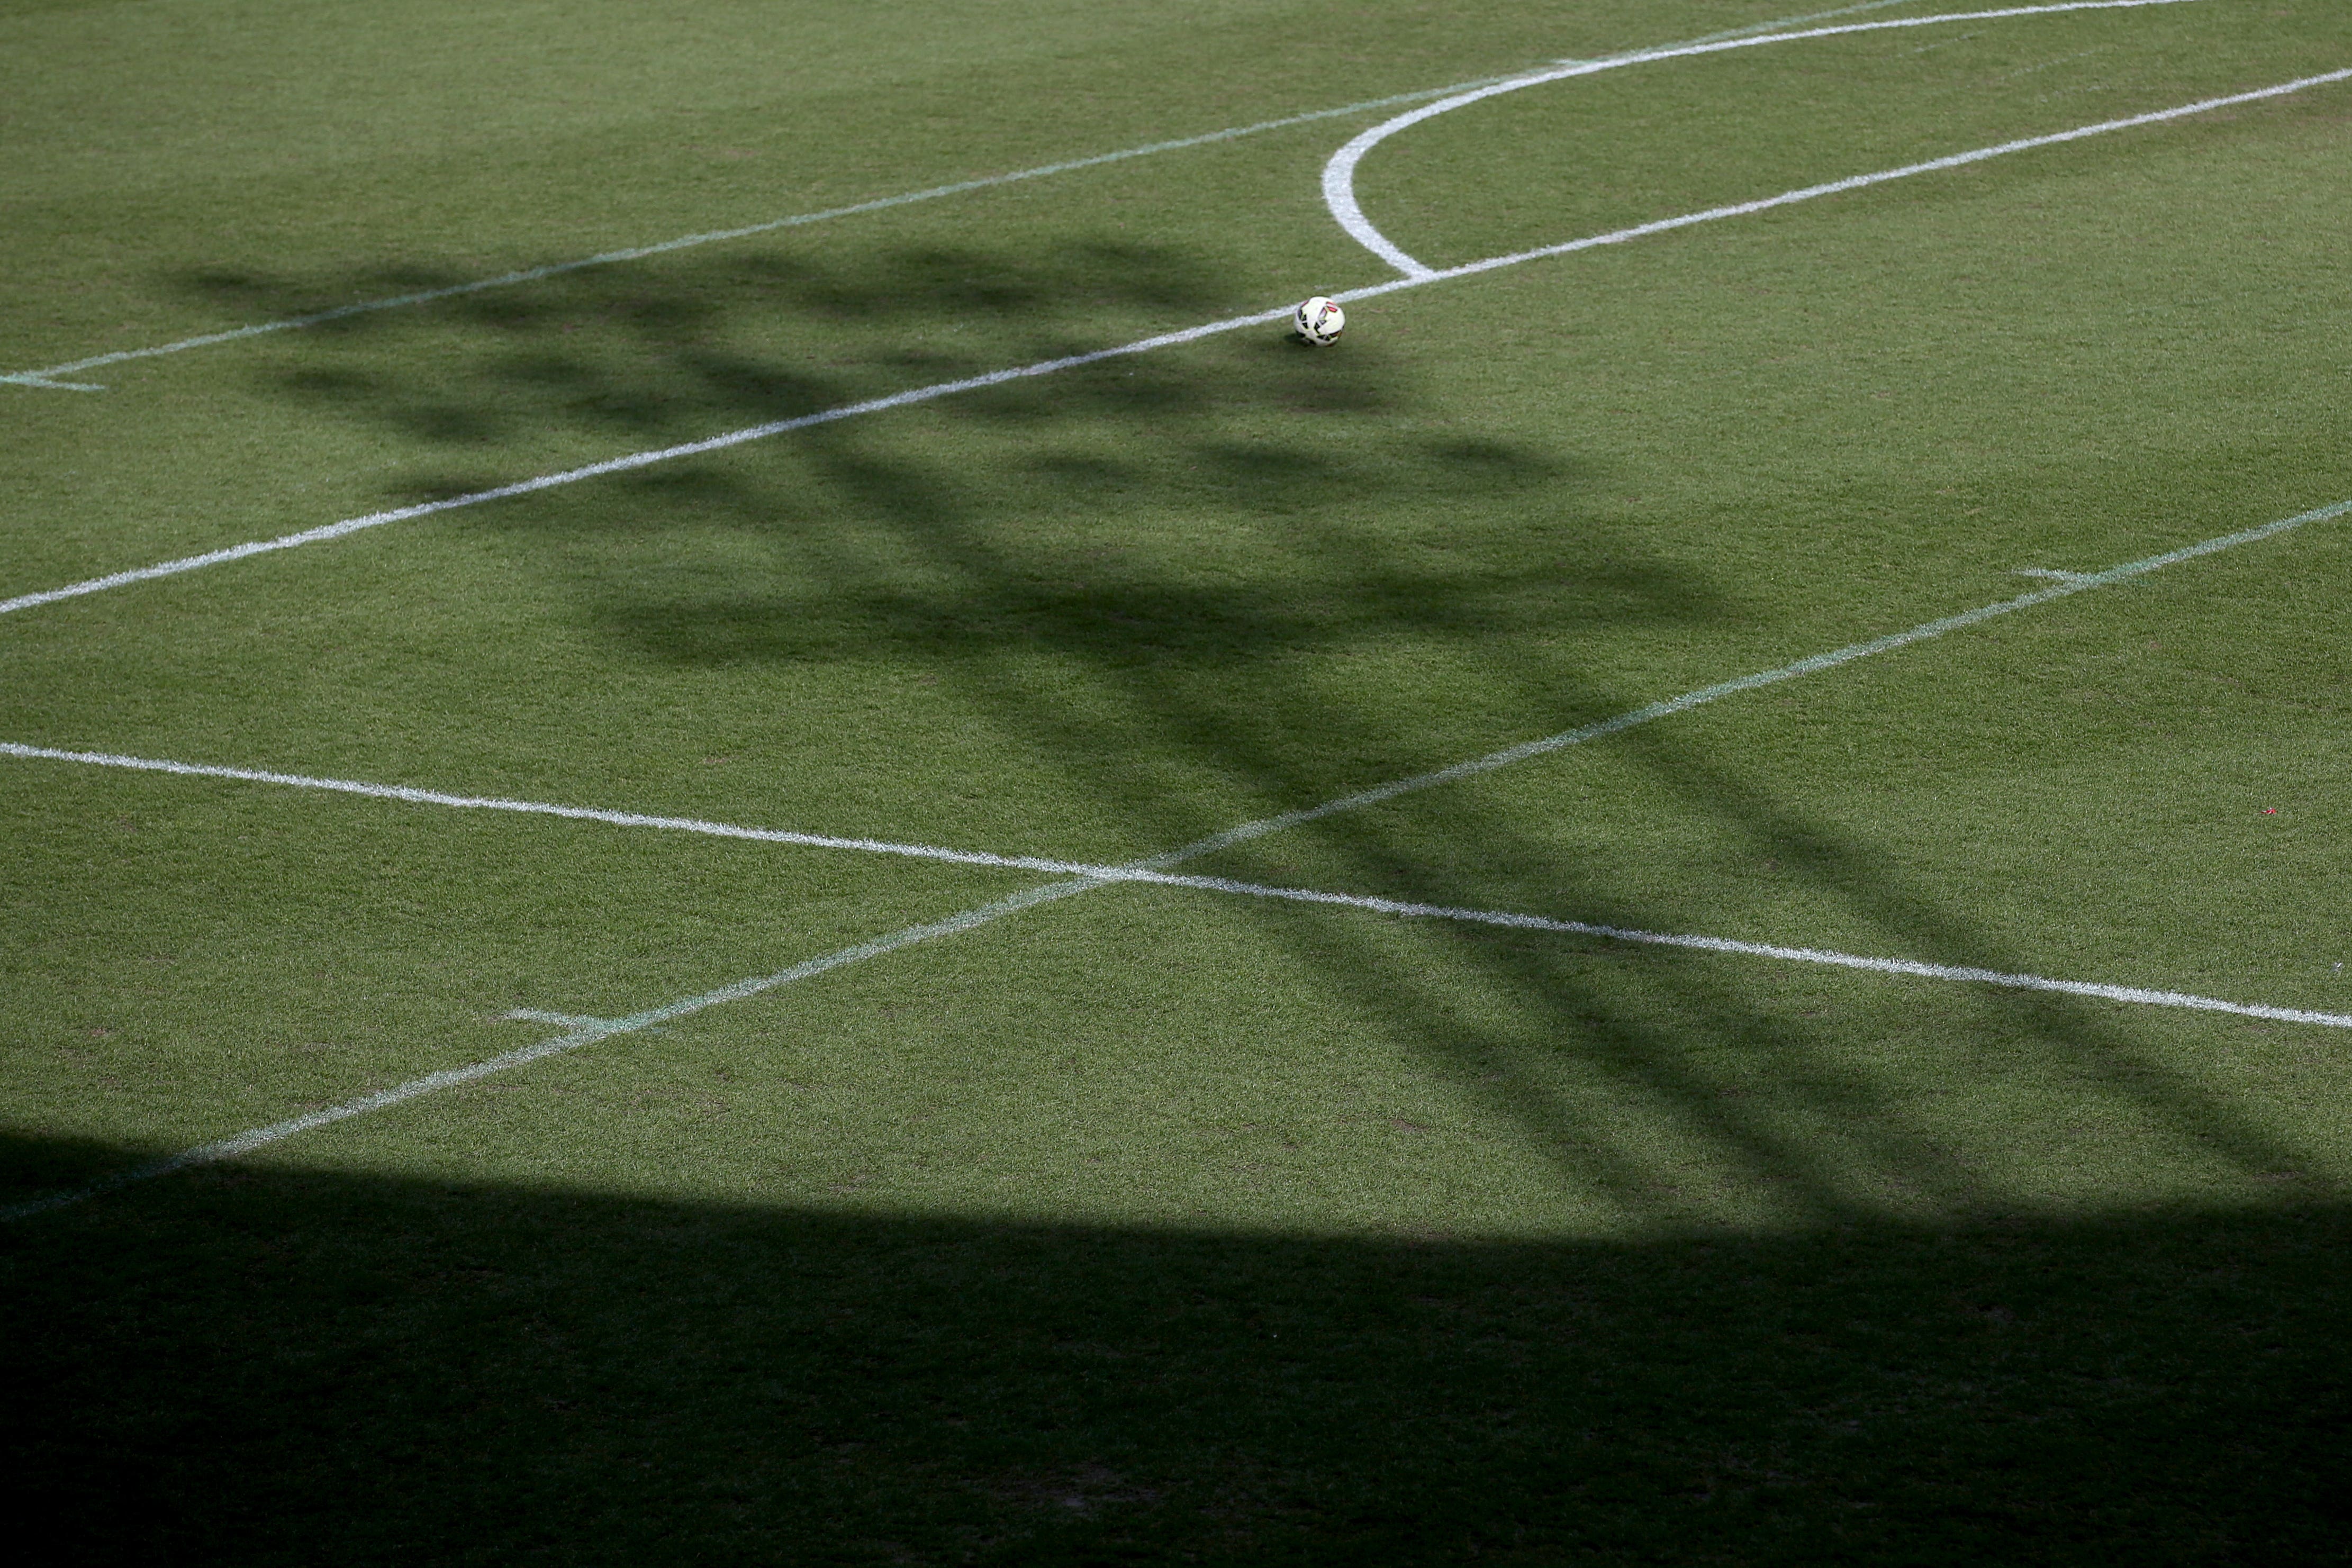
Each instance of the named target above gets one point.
<point>48,377</point>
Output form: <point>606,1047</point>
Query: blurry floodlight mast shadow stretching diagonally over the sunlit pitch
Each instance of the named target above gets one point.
<point>1158,570</point>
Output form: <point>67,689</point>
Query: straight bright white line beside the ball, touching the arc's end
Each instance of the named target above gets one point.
<point>1165,340</point>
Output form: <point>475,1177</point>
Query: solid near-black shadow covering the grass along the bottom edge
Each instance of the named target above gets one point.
<point>298,1369</point>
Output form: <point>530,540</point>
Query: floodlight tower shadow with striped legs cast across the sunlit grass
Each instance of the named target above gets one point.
<point>897,556</point>
